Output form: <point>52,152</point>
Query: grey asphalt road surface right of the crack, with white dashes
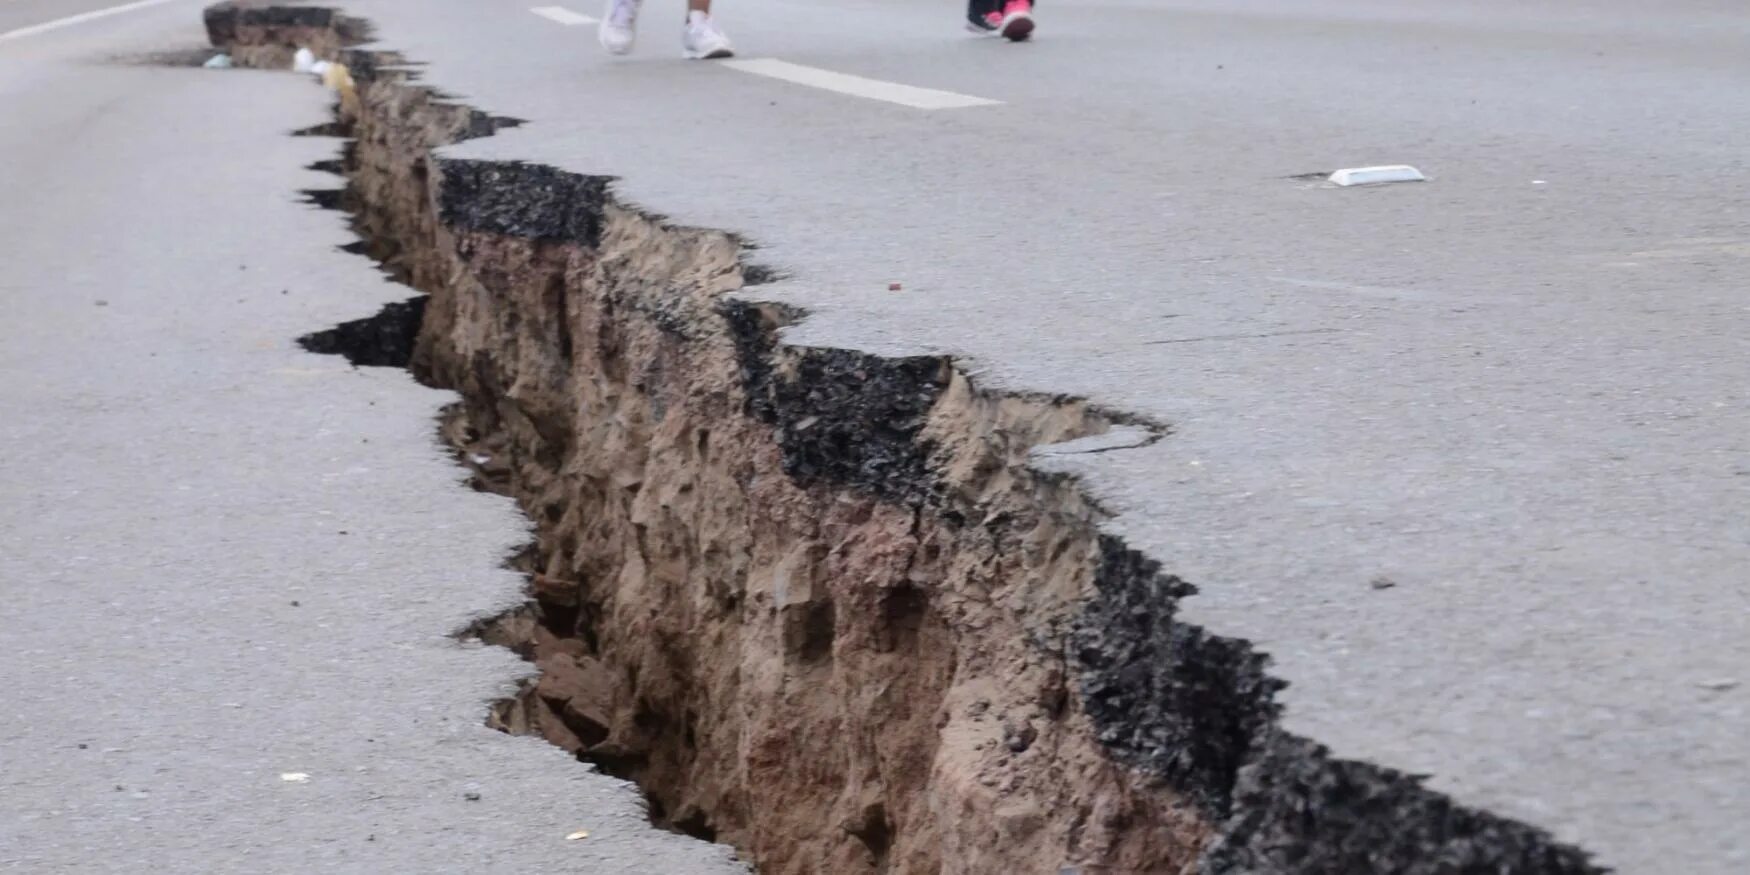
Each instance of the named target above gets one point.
<point>1518,391</point>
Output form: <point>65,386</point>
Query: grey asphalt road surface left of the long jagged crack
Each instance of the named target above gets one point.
<point>225,561</point>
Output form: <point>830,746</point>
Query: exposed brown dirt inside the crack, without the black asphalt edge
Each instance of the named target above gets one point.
<point>823,676</point>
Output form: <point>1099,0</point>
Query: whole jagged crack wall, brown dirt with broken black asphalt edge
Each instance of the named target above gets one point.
<point>816,603</point>
